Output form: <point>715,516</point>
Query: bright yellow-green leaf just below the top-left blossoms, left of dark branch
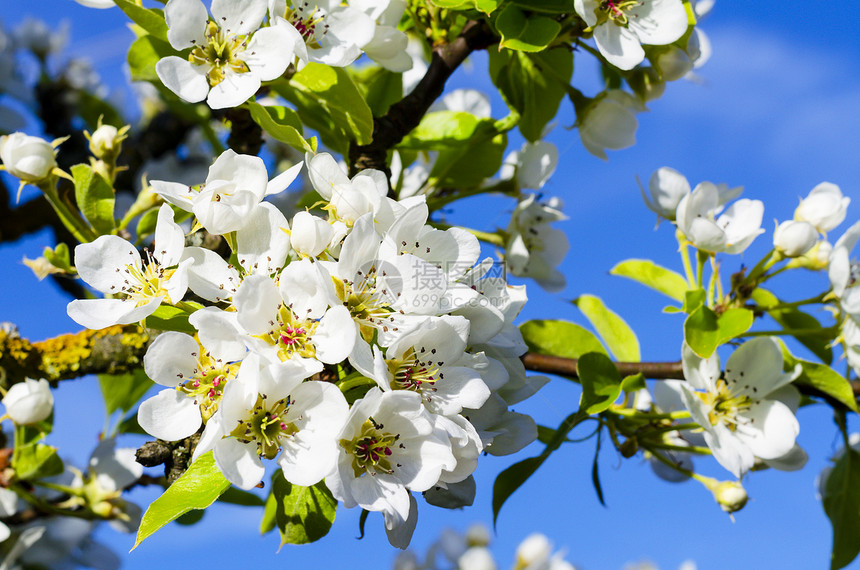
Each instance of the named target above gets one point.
<point>329,101</point>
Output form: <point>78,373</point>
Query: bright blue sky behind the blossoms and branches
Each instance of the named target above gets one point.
<point>775,112</point>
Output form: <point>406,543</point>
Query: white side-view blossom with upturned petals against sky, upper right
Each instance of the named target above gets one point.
<point>732,232</point>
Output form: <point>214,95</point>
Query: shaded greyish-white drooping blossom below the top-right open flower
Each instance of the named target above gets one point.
<point>609,122</point>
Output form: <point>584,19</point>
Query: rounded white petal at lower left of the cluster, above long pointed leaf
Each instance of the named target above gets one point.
<point>169,415</point>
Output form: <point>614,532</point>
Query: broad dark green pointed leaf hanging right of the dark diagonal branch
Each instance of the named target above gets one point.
<point>532,84</point>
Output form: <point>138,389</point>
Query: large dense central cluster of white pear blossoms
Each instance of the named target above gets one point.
<point>364,348</point>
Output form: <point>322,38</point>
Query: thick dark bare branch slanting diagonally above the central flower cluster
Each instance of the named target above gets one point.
<point>405,115</point>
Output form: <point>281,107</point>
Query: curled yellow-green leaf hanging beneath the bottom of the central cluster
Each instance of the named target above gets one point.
<point>302,514</point>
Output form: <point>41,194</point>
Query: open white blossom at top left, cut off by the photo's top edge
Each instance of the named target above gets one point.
<point>230,56</point>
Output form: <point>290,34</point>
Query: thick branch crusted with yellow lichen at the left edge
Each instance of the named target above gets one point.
<point>114,350</point>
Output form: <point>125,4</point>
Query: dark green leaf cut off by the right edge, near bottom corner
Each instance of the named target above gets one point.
<point>842,504</point>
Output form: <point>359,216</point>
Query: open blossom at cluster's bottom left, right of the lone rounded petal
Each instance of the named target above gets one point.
<point>271,412</point>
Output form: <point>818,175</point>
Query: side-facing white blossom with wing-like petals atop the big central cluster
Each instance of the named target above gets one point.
<point>234,187</point>
